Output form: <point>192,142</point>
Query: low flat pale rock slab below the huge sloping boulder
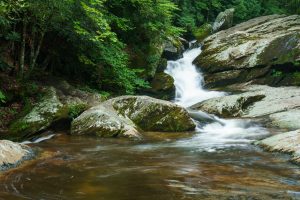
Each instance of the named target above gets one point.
<point>279,104</point>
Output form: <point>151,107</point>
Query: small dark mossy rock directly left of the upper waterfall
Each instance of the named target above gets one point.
<point>162,86</point>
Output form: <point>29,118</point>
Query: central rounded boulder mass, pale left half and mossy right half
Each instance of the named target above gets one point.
<point>125,116</point>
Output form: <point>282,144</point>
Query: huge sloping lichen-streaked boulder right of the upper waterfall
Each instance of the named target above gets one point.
<point>251,50</point>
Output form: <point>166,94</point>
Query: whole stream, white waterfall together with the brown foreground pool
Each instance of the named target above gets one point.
<point>217,161</point>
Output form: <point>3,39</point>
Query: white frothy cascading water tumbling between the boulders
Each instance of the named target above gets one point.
<point>219,133</point>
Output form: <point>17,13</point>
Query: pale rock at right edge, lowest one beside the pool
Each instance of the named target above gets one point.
<point>286,143</point>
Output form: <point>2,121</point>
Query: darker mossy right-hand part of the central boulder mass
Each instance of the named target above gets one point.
<point>153,114</point>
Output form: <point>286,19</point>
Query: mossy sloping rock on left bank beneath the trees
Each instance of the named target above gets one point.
<point>60,102</point>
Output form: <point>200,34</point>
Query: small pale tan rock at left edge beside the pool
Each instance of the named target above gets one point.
<point>12,154</point>
